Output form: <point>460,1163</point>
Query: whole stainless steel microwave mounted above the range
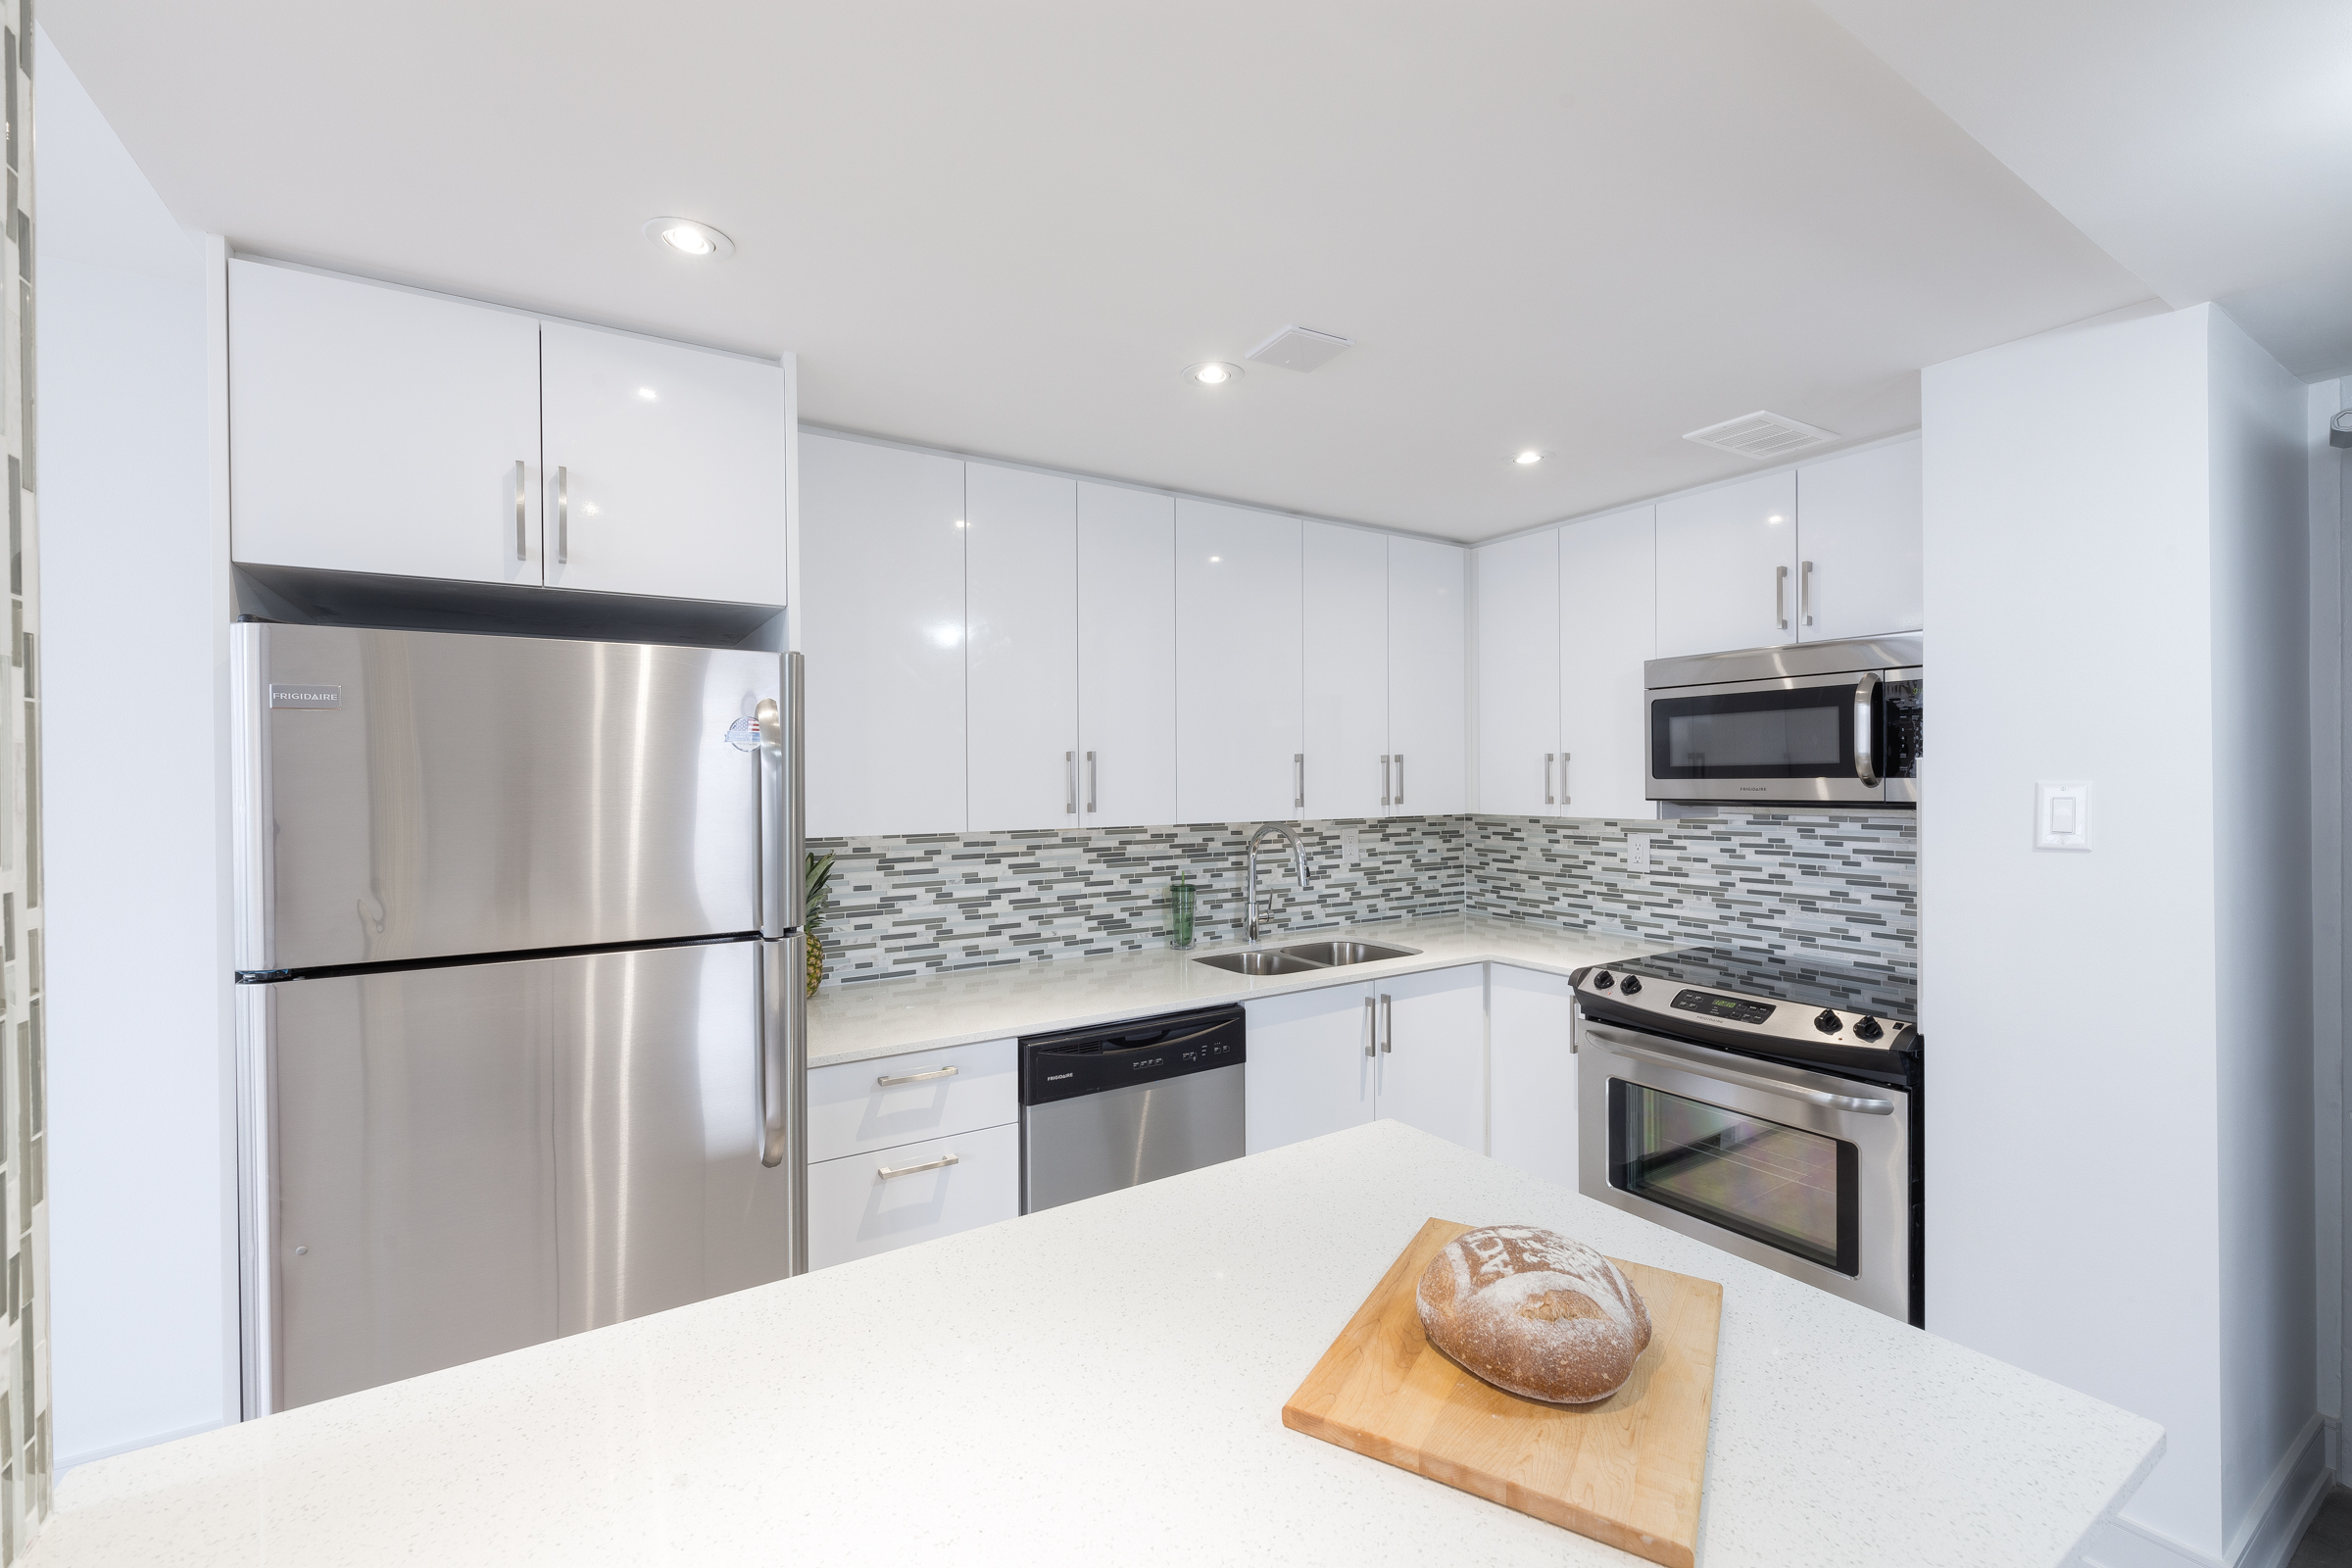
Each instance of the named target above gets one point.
<point>1815,723</point>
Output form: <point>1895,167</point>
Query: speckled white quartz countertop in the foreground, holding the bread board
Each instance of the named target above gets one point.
<point>1104,1383</point>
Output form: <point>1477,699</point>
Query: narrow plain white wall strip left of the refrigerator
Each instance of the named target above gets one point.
<point>145,1334</point>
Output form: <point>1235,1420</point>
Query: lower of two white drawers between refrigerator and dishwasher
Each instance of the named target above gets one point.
<point>855,1212</point>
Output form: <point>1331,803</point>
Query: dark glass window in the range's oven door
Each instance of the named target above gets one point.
<point>1775,1184</point>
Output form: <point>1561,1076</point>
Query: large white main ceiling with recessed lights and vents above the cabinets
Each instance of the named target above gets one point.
<point>1584,227</point>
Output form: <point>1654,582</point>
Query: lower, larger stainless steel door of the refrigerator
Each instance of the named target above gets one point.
<point>481,1158</point>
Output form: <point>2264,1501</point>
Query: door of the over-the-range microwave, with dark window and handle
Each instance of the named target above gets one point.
<point>1796,737</point>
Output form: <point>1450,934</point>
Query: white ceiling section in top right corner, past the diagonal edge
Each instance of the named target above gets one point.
<point>2205,147</point>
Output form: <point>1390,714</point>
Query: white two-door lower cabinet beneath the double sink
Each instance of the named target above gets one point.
<point>1412,1050</point>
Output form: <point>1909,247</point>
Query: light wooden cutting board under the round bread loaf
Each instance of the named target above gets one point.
<point>1626,1470</point>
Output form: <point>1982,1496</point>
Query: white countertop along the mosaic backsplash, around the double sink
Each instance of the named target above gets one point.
<point>850,1024</point>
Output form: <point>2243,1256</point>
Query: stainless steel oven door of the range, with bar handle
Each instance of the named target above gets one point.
<point>1800,1172</point>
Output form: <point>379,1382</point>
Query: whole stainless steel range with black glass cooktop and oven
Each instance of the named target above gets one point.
<point>1765,1104</point>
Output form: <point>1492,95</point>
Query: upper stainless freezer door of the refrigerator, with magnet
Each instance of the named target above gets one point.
<point>422,796</point>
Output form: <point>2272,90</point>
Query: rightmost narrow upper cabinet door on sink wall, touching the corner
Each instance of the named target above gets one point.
<point>1426,692</point>
